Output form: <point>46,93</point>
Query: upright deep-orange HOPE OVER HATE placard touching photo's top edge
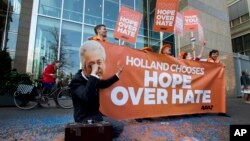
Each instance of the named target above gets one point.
<point>165,15</point>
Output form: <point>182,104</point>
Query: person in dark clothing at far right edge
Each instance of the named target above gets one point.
<point>245,85</point>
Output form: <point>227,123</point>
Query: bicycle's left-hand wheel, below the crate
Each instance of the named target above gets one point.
<point>22,102</point>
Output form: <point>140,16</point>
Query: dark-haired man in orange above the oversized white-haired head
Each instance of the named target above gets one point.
<point>101,33</point>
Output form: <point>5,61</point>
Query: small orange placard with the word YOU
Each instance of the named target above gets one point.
<point>190,20</point>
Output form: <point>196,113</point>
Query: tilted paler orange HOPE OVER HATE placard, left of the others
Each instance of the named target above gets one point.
<point>127,25</point>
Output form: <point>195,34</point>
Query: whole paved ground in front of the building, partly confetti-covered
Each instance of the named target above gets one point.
<point>47,124</point>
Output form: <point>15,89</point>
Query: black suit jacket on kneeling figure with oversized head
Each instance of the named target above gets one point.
<point>85,96</point>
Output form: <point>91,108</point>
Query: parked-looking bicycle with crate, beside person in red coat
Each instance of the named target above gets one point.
<point>29,96</point>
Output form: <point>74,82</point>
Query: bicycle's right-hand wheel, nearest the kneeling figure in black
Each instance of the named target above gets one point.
<point>64,98</point>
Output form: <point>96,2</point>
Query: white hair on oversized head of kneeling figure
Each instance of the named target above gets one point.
<point>91,46</point>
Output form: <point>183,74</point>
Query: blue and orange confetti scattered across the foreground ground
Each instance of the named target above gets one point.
<point>178,128</point>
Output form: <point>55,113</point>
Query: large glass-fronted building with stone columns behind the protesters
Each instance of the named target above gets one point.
<point>36,32</point>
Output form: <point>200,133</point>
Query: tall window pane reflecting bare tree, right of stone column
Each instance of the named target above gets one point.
<point>46,44</point>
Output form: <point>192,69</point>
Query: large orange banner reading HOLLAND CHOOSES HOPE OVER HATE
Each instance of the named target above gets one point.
<point>155,85</point>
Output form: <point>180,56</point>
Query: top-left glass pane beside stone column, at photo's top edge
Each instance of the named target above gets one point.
<point>50,7</point>
